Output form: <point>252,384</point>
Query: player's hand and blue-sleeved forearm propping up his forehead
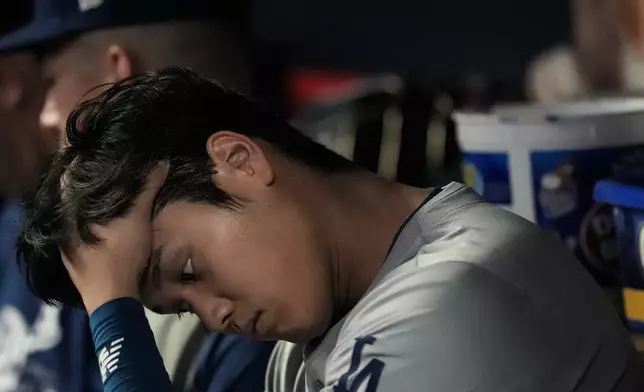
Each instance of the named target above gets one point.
<point>107,276</point>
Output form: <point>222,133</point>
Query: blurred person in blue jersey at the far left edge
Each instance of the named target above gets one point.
<point>42,348</point>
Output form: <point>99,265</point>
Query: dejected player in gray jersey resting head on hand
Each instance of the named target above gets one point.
<point>181,196</point>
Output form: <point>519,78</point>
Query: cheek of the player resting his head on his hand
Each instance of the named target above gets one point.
<point>278,272</point>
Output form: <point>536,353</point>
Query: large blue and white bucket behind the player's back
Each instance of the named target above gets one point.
<point>542,162</point>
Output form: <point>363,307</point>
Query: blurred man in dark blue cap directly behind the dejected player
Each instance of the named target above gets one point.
<point>84,44</point>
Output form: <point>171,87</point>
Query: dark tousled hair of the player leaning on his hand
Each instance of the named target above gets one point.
<point>116,139</point>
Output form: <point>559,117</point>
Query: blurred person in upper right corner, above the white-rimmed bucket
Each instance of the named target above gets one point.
<point>606,55</point>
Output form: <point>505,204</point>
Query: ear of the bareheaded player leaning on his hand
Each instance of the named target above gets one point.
<point>236,157</point>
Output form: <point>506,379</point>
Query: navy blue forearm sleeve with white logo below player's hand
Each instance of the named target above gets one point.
<point>128,357</point>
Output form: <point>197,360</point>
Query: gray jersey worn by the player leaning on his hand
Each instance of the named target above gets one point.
<point>474,298</point>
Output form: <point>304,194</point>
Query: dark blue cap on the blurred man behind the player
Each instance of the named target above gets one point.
<point>54,19</point>
